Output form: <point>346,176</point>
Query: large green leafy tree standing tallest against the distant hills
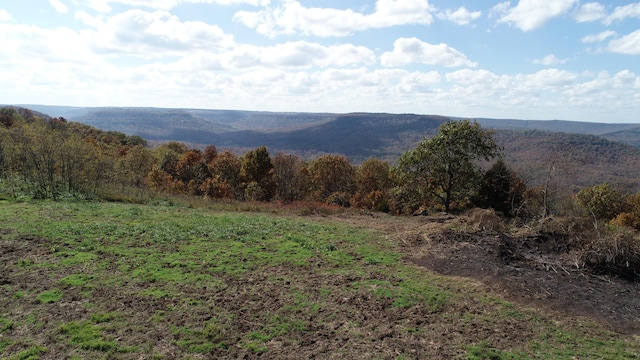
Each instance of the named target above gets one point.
<point>446,167</point>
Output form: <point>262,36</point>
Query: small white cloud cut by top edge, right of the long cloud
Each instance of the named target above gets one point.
<point>529,15</point>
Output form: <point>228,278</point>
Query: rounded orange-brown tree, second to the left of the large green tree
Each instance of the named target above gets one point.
<point>332,178</point>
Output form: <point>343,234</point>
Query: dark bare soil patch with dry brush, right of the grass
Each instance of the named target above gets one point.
<point>540,271</point>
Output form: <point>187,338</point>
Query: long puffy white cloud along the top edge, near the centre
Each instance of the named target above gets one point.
<point>292,18</point>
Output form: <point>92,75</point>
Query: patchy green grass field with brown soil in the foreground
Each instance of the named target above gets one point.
<point>128,281</point>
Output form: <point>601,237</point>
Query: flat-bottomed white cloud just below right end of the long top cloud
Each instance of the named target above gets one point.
<point>412,50</point>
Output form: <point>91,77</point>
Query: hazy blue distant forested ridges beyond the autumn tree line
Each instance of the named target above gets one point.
<point>589,153</point>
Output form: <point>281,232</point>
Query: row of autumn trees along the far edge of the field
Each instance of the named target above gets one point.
<point>458,168</point>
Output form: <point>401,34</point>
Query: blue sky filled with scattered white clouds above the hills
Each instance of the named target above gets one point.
<point>526,59</point>
